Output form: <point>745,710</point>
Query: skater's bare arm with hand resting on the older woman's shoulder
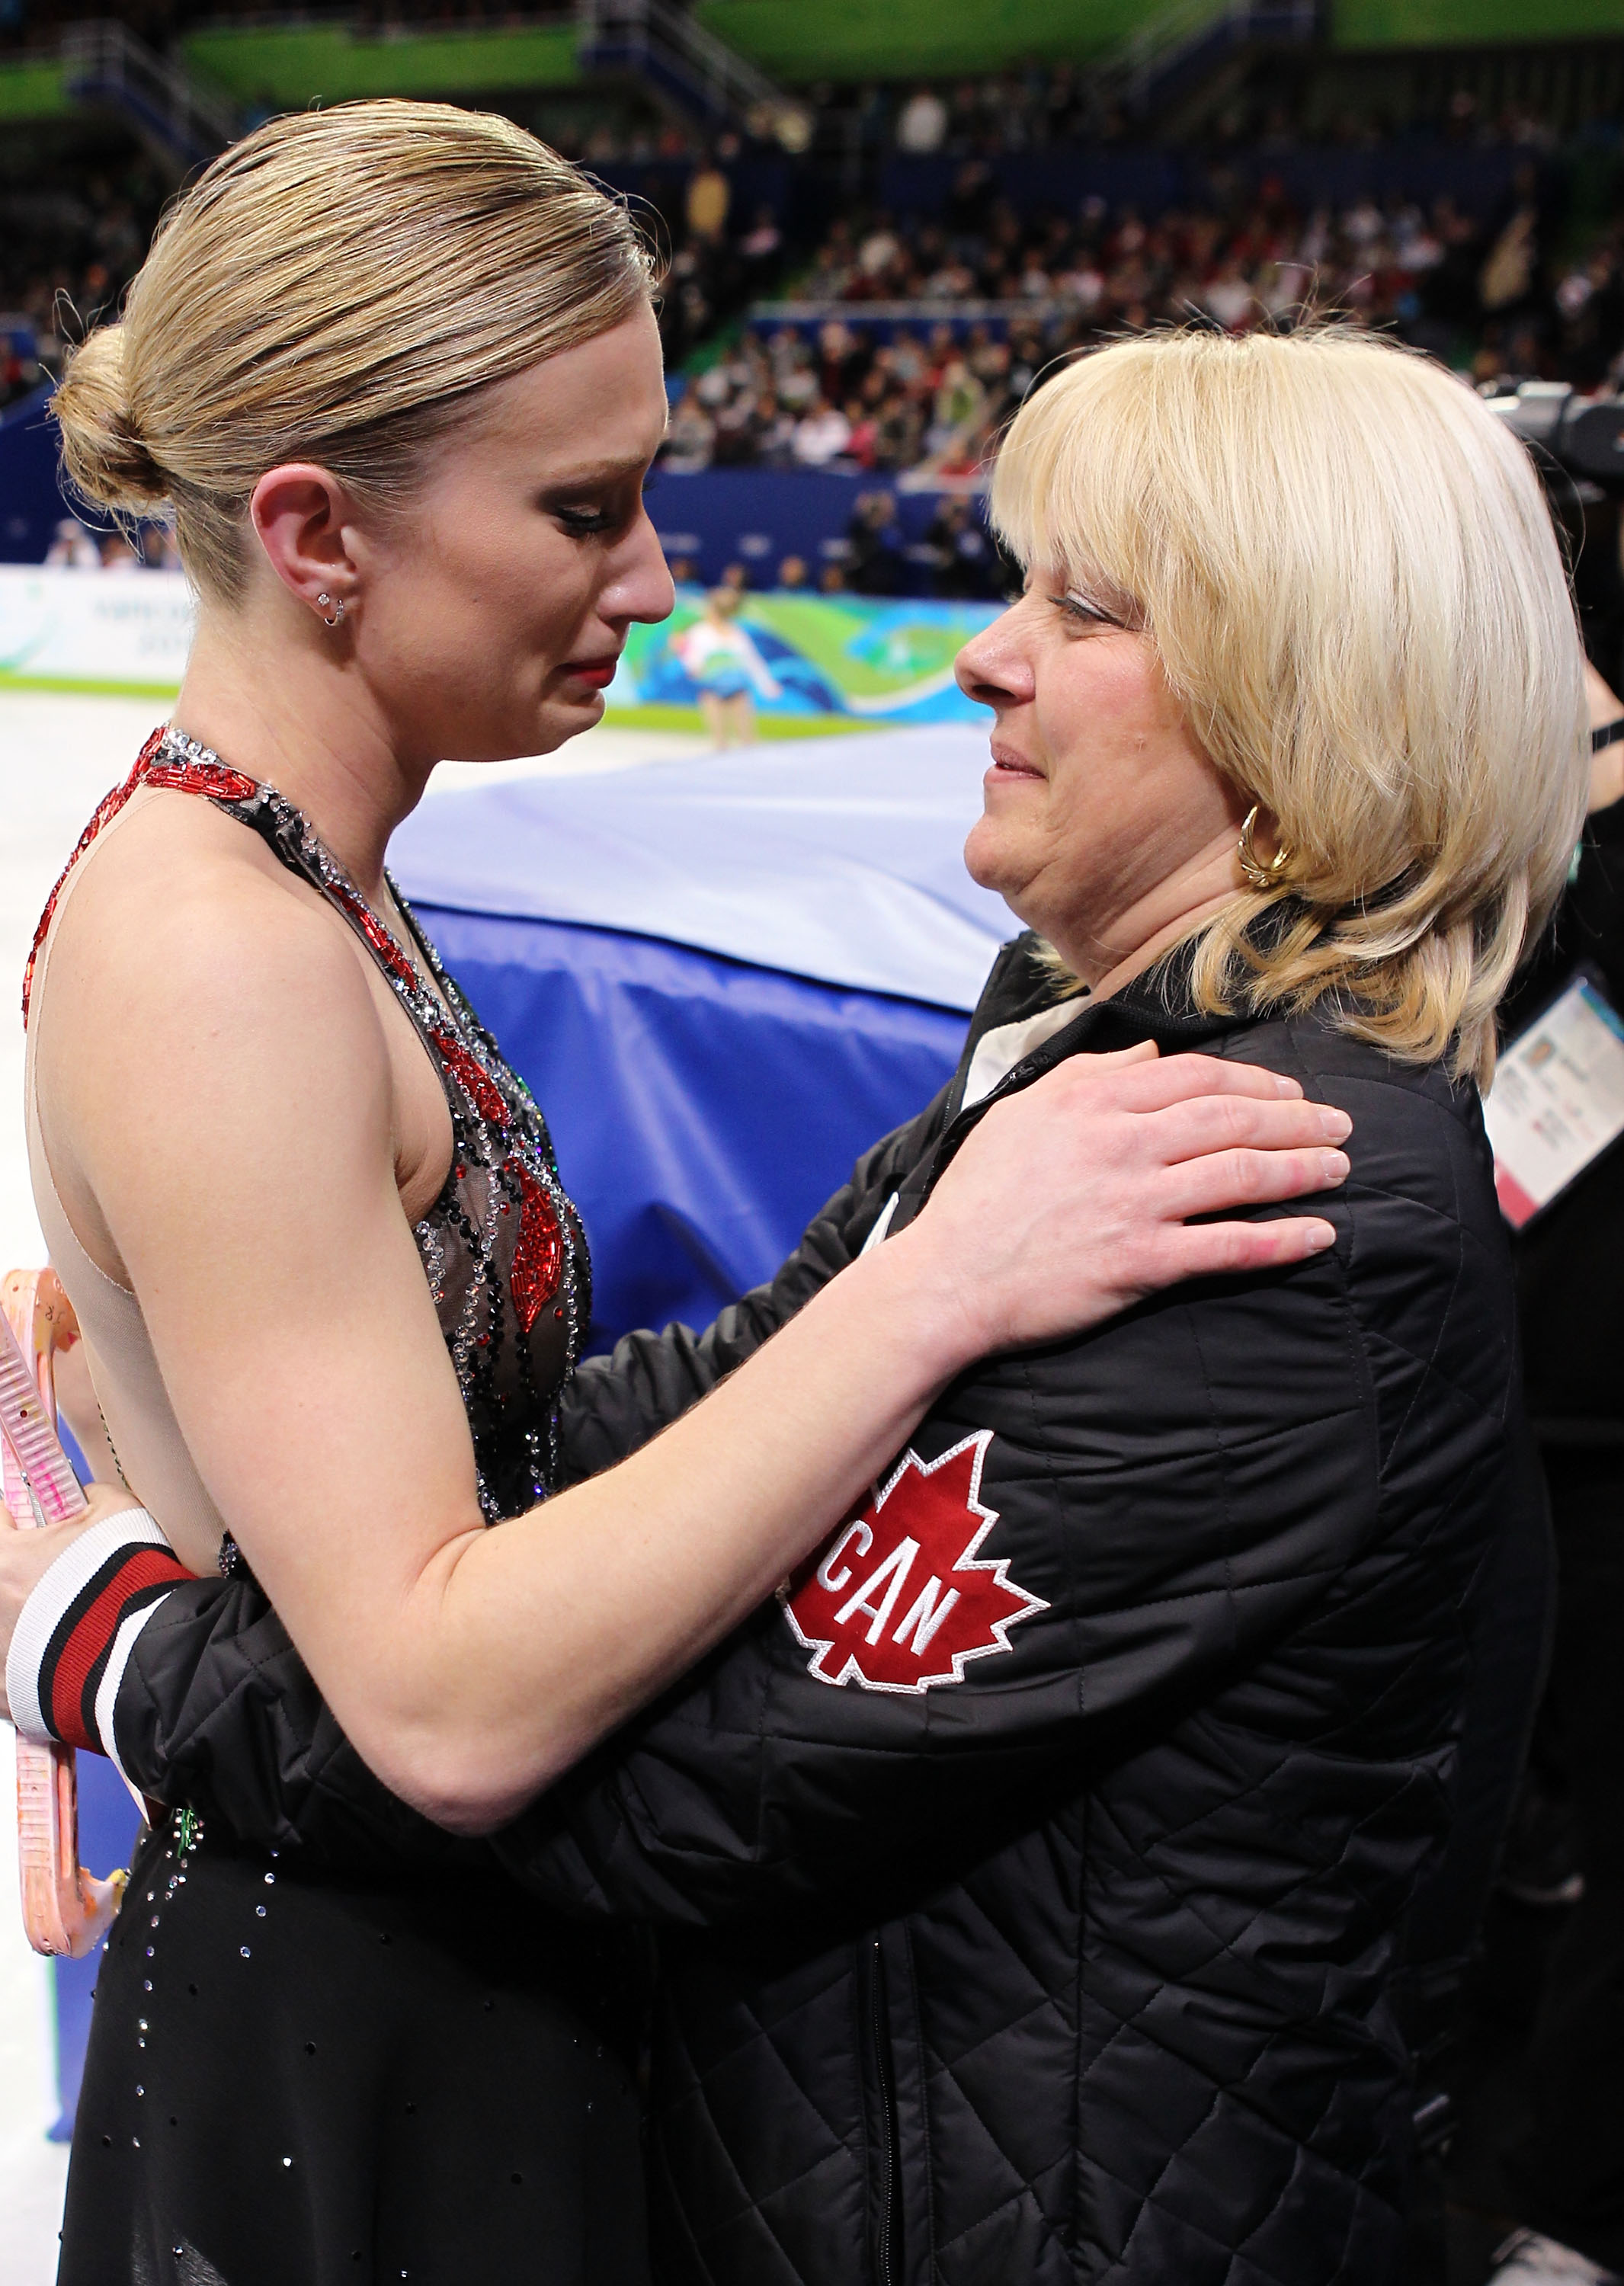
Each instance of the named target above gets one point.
<point>237,1135</point>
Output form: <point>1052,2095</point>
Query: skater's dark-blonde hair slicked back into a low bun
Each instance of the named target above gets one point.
<point>335,289</point>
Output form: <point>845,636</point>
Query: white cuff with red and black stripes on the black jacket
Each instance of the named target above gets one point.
<point>79,1629</point>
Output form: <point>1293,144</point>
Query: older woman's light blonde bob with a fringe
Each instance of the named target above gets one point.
<point>1355,591</point>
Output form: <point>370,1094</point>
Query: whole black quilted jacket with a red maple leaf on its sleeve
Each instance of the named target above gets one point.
<point>1040,1873</point>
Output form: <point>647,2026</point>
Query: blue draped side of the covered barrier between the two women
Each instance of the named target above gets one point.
<point>701,1108</point>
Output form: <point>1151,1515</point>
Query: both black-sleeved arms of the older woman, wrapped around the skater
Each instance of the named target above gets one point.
<point>1175,1494</point>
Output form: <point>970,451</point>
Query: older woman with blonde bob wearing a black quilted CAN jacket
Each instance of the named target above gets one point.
<point>1035,1864</point>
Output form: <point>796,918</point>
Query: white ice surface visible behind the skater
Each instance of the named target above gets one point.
<point>58,756</point>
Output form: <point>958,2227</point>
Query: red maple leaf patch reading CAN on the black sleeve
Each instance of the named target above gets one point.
<point>900,1597</point>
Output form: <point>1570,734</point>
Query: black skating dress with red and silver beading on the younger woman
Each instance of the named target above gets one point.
<point>301,2077</point>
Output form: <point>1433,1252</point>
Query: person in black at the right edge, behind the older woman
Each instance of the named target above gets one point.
<point>1568,2148</point>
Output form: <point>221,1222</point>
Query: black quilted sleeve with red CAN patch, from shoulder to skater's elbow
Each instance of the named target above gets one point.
<point>1175,1498</point>
